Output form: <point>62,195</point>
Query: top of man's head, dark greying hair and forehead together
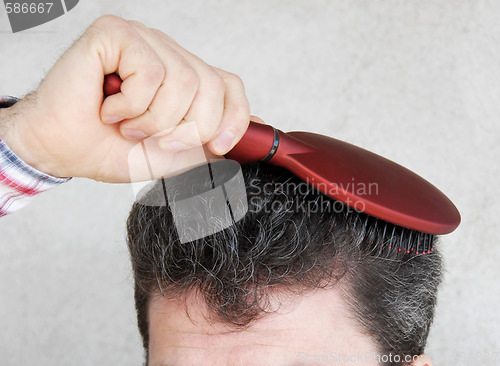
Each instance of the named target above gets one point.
<point>300,280</point>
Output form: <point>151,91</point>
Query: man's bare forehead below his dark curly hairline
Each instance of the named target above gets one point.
<point>306,330</point>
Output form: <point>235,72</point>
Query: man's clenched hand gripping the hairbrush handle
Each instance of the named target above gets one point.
<point>66,129</point>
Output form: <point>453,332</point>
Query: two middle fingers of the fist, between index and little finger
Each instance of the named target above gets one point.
<point>192,91</point>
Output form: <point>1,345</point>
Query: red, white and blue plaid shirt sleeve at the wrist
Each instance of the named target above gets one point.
<point>19,182</point>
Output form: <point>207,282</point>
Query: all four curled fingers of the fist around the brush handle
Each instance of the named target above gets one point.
<point>165,89</point>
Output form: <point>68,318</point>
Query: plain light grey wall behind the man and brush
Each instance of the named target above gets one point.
<point>415,81</point>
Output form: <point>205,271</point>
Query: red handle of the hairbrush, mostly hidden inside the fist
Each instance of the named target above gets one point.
<point>258,142</point>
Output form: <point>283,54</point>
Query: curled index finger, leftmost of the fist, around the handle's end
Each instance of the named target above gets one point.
<point>138,65</point>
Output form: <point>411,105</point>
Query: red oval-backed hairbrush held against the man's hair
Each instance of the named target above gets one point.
<point>340,170</point>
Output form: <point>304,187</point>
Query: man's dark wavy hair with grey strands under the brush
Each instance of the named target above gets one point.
<point>292,240</point>
